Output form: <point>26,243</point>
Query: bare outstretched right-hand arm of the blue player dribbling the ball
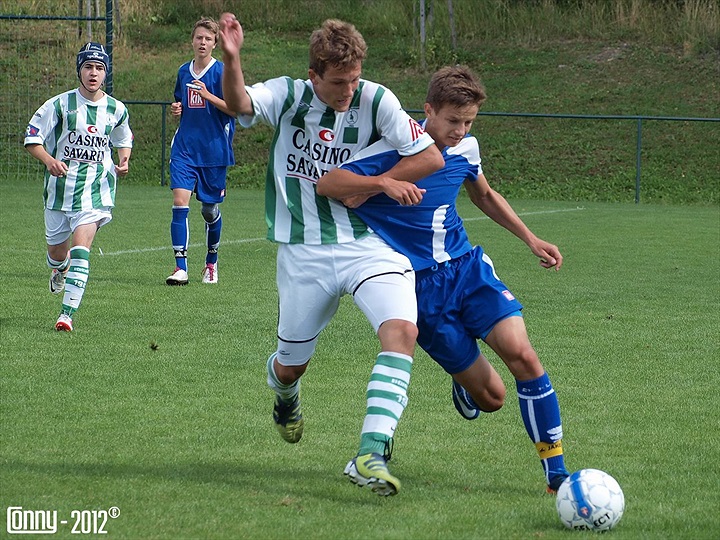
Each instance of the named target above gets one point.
<point>499,210</point>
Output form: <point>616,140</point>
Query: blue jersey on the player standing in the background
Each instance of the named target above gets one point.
<point>204,136</point>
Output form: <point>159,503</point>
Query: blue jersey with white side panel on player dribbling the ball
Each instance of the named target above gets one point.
<point>431,232</point>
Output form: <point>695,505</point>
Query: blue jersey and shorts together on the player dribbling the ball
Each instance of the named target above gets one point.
<point>459,301</point>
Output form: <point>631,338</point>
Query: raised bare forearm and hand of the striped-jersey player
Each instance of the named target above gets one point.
<point>231,41</point>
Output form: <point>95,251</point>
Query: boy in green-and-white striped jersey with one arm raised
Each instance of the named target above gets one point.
<point>325,250</point>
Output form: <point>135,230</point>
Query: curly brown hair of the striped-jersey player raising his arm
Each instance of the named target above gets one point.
<point>336,43</point>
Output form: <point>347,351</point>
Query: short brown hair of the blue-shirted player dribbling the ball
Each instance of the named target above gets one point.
<point>455,85</point>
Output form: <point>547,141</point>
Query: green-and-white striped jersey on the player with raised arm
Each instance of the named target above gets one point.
<point>311,139</point>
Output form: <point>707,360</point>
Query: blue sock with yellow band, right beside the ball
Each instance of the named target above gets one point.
<point>541,415</point>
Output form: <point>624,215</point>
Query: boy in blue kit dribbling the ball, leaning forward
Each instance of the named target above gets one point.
<point>460,297</point>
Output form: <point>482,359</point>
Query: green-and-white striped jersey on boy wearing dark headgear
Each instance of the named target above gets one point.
<point>80,133</point>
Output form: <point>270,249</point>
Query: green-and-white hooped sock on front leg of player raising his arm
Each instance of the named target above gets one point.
<point>386,400</point>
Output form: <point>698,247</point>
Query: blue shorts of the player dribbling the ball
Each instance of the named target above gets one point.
<point>459,302</point>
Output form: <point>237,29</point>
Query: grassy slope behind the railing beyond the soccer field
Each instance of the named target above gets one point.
<point>619,72</point>
